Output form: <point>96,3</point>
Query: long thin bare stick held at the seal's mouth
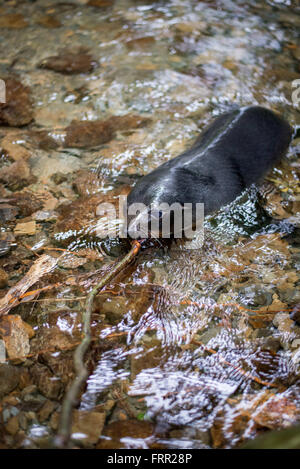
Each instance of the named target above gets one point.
<point>64,430</point>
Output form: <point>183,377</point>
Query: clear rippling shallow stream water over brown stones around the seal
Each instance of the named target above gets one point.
<point>190,349</point>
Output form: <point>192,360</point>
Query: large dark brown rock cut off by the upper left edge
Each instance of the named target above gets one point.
<point>17,110</point>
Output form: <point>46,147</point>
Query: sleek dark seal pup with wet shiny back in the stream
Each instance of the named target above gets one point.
<point>233,152</point>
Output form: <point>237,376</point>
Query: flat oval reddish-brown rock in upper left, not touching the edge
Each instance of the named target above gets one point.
<point>70,62</point>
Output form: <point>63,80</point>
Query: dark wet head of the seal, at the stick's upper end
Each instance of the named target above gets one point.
<point>162,205</point>
